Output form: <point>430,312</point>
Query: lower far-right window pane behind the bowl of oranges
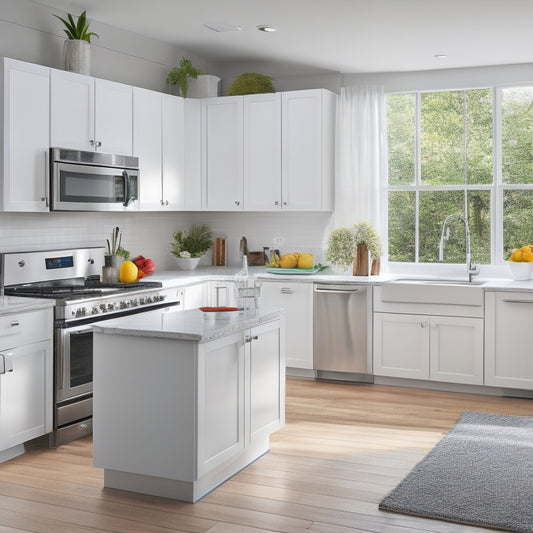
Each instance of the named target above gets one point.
<point>517,216</point>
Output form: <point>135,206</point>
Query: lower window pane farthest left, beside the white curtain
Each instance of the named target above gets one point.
<point>402,227</point>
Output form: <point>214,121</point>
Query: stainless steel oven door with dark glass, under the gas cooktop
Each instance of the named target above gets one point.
<point>74,362</point>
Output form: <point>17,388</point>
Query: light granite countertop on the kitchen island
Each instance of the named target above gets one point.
<point>191,325</point>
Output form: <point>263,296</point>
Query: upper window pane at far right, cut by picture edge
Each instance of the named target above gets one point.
<point>517,135</point>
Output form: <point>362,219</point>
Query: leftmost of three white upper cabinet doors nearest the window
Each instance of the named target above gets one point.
<point>222,155</point>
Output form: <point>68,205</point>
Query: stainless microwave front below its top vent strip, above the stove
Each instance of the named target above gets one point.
<point>93,188</point>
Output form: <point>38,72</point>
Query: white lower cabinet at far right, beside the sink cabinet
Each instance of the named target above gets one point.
<point>508,321</point>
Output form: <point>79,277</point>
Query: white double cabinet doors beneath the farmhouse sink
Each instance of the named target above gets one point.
<point>437,348</point>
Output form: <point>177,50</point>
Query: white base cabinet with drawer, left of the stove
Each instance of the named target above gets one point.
<point>26,379</point>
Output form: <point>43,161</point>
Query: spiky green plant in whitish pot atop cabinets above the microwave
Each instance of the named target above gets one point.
<point>77,47</point>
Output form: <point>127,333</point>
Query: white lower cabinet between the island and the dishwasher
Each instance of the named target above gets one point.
<point>297,300</point>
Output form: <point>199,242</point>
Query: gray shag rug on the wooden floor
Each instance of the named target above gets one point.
<point>480,473</point>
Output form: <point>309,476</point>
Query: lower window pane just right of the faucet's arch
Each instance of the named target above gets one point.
<point>479,223</point>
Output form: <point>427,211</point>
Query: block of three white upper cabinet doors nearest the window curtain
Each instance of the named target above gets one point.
<point>269,152</point>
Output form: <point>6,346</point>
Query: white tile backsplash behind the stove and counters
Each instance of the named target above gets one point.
<point>150,233</point>
